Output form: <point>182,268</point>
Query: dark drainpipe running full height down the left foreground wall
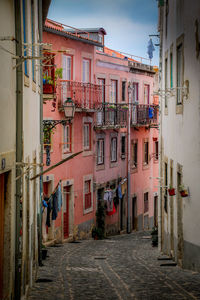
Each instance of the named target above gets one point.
<point>19,151</point>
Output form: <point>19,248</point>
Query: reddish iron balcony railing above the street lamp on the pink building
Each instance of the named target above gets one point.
<point>86,96</point>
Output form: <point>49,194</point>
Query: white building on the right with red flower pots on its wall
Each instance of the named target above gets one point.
<point>179,131</point>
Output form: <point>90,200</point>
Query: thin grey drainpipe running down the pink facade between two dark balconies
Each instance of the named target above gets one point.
<point>128,161</point>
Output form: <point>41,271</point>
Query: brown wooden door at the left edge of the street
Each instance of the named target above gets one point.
<point>2,179</point>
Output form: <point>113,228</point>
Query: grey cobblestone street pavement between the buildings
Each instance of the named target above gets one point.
<point>121,267</point>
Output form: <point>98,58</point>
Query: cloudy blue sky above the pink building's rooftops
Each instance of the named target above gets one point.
<point>128,23</point>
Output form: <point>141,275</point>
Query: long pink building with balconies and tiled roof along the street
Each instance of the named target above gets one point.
<point>104,86</point>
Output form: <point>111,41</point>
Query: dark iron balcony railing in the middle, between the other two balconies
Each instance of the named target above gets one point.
<point>111,115</point>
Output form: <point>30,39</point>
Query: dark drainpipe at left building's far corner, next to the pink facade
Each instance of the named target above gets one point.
<point>41,136</point>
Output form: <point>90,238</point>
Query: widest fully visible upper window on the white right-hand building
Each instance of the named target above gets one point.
<point>179,78</point>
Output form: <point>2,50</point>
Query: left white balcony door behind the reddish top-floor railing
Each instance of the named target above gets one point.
<point>67,87</point>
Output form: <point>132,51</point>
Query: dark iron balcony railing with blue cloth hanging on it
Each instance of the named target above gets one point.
<point>142,114</point>
